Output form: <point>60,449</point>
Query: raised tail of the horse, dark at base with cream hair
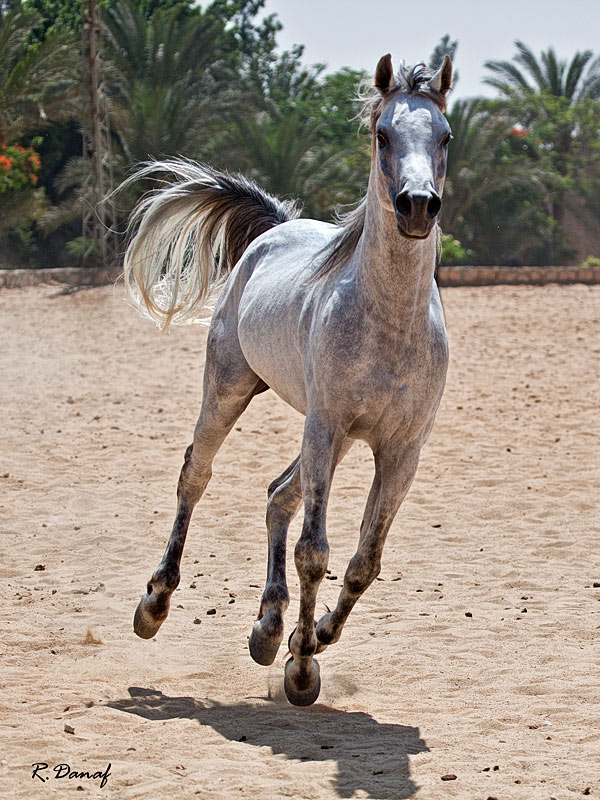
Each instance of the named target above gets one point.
<point>189,235</point>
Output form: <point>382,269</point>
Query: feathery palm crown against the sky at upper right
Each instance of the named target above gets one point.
<point>551,75</point>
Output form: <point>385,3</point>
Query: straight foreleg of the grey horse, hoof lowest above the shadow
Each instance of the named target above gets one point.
<point>321,449</point>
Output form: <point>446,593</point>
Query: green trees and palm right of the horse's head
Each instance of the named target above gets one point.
<point>517,161</point>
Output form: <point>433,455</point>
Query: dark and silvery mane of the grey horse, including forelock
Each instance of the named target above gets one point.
<point>412,81</point>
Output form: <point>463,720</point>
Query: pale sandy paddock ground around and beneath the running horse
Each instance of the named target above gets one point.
<point>475,654</point>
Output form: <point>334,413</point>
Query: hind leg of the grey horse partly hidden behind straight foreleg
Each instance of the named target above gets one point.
<point>285,496</point>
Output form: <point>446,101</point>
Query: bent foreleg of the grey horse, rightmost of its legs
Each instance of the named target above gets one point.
<point>394,473</point>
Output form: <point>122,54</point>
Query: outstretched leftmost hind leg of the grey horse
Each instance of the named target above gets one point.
<point>229,385</point>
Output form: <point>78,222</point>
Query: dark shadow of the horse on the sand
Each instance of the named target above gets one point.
<point>370,756</point>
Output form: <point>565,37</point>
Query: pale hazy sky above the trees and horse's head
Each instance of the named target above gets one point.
<point>355,33</point>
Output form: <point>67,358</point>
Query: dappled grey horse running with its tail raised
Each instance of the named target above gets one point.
<point>342,320</point>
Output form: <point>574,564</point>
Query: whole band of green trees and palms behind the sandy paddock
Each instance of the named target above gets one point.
<point>207,82</point>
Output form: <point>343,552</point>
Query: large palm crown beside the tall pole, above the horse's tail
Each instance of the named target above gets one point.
<point>162,78</point>
